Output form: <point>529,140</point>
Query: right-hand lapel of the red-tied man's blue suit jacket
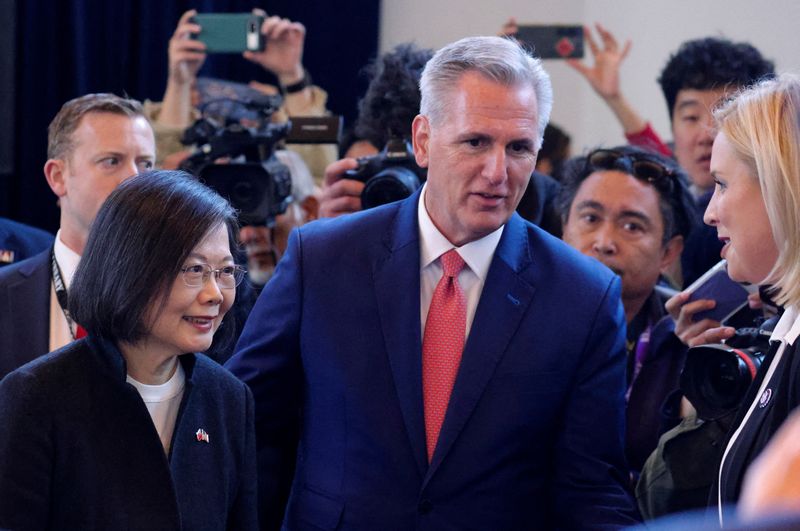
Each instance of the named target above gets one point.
<point>504,300</point>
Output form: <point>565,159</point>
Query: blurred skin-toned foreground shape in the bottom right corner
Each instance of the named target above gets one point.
<point>772,482</point>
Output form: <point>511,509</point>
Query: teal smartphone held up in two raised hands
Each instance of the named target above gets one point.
<point>230,32</point>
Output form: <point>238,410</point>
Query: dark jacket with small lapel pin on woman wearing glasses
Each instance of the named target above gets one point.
<point>78,449</point>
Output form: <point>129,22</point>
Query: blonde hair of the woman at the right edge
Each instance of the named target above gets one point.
<point>763,126</point>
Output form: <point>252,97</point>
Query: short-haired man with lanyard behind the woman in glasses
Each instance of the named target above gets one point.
<point>94,143</point>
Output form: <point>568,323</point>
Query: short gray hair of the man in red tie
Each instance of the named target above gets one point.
<point>498,59</point>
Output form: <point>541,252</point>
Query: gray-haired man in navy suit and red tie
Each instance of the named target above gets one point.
<point>507,411</point>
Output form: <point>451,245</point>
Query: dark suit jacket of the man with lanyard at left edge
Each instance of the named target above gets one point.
<point>24,311</point>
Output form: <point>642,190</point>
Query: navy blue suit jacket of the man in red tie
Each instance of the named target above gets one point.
<point>533,435</point>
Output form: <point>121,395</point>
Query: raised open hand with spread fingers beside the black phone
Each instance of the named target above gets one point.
<point>603,76</point>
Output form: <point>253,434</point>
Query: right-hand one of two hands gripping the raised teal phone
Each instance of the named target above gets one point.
<point>283,55</point>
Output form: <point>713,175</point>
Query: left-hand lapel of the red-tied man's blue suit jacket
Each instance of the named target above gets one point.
<point>396,275</point>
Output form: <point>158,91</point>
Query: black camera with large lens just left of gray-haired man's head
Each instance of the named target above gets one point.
<point>390,175</point>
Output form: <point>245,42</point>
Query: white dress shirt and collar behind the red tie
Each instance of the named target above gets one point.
<point>433,244</point>
